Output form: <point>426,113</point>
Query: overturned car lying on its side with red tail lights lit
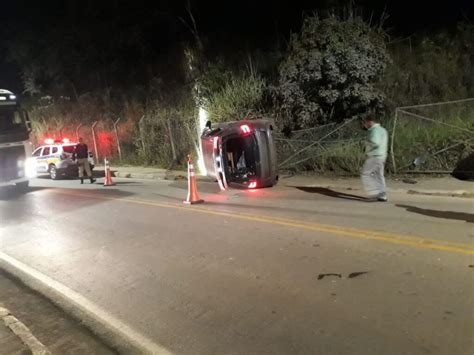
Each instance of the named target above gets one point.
<point>240,154</point>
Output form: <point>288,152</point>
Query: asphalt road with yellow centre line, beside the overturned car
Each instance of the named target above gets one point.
<point>287,270</point>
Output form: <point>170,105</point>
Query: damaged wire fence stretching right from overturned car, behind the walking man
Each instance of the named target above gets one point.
<point>423,138</point>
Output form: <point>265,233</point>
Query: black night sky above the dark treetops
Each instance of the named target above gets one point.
<point>236,23</point>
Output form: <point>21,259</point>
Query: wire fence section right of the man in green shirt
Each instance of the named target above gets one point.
<point>432,137</point>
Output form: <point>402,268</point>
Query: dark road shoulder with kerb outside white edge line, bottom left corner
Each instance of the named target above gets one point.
<point>39,325</point>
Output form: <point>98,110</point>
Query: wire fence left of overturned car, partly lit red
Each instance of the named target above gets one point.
<point>151,140</point>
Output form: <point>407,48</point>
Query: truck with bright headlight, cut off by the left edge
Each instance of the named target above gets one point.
<point>16,167</point>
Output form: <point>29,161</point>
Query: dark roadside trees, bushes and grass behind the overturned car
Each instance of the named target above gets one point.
<point>335,70</point>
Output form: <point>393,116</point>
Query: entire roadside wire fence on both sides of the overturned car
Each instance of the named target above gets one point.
<point>423,138</point>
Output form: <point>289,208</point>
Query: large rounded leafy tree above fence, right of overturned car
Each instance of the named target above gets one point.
<point>330,71</point>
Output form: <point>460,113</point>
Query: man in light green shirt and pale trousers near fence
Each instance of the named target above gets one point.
<point>376,150</point>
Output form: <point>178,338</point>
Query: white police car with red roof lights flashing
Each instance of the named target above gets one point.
<point>55,158</point>
